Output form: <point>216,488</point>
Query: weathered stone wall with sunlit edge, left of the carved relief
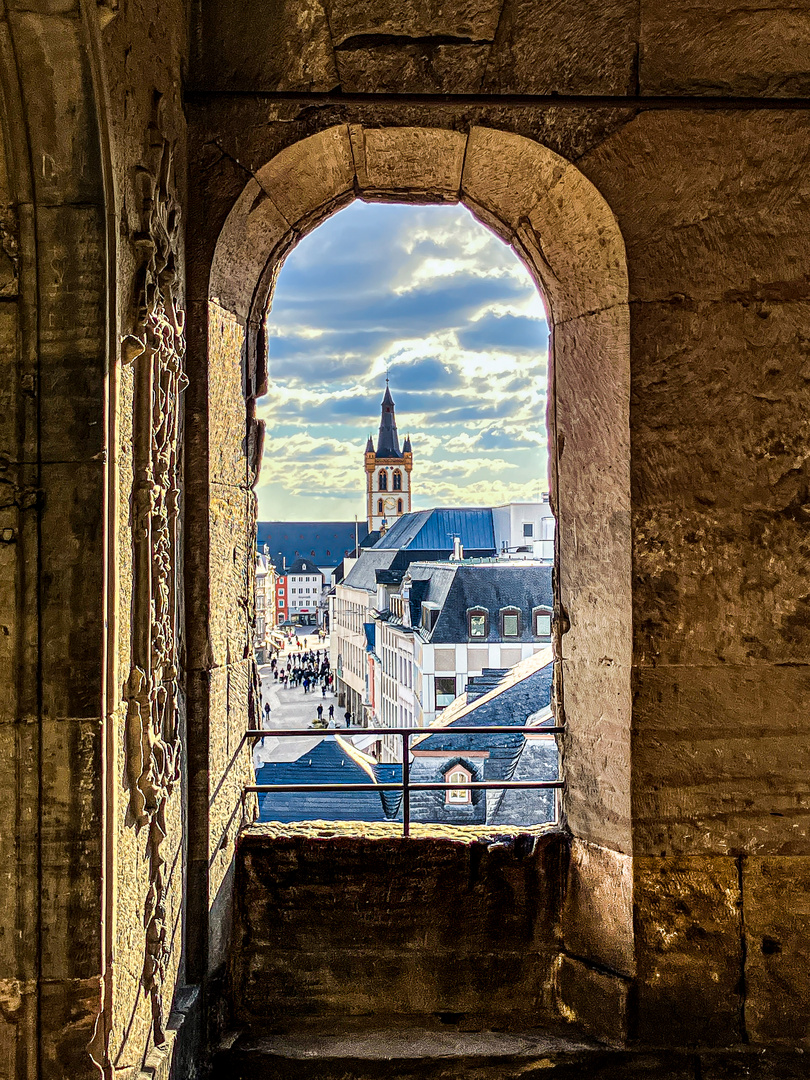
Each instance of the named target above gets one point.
<point>91,94</point>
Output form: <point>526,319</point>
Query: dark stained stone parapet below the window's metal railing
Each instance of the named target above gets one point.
<point>468,934</point>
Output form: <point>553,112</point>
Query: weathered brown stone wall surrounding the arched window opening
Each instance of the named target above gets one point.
<point>688,803</point>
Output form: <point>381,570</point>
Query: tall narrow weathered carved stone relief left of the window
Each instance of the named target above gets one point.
<point>156,349</point>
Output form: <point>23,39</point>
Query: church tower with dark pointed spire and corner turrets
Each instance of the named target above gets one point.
<point>388,471</point>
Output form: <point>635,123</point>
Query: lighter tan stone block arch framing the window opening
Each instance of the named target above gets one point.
<point>568,236</point>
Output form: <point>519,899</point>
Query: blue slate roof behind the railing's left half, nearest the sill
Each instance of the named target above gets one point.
<point>327,764</point>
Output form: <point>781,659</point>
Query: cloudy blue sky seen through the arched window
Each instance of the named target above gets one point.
<point>429,294</point>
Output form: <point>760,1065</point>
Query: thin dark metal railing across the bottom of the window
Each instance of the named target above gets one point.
<point>407,786</point>
